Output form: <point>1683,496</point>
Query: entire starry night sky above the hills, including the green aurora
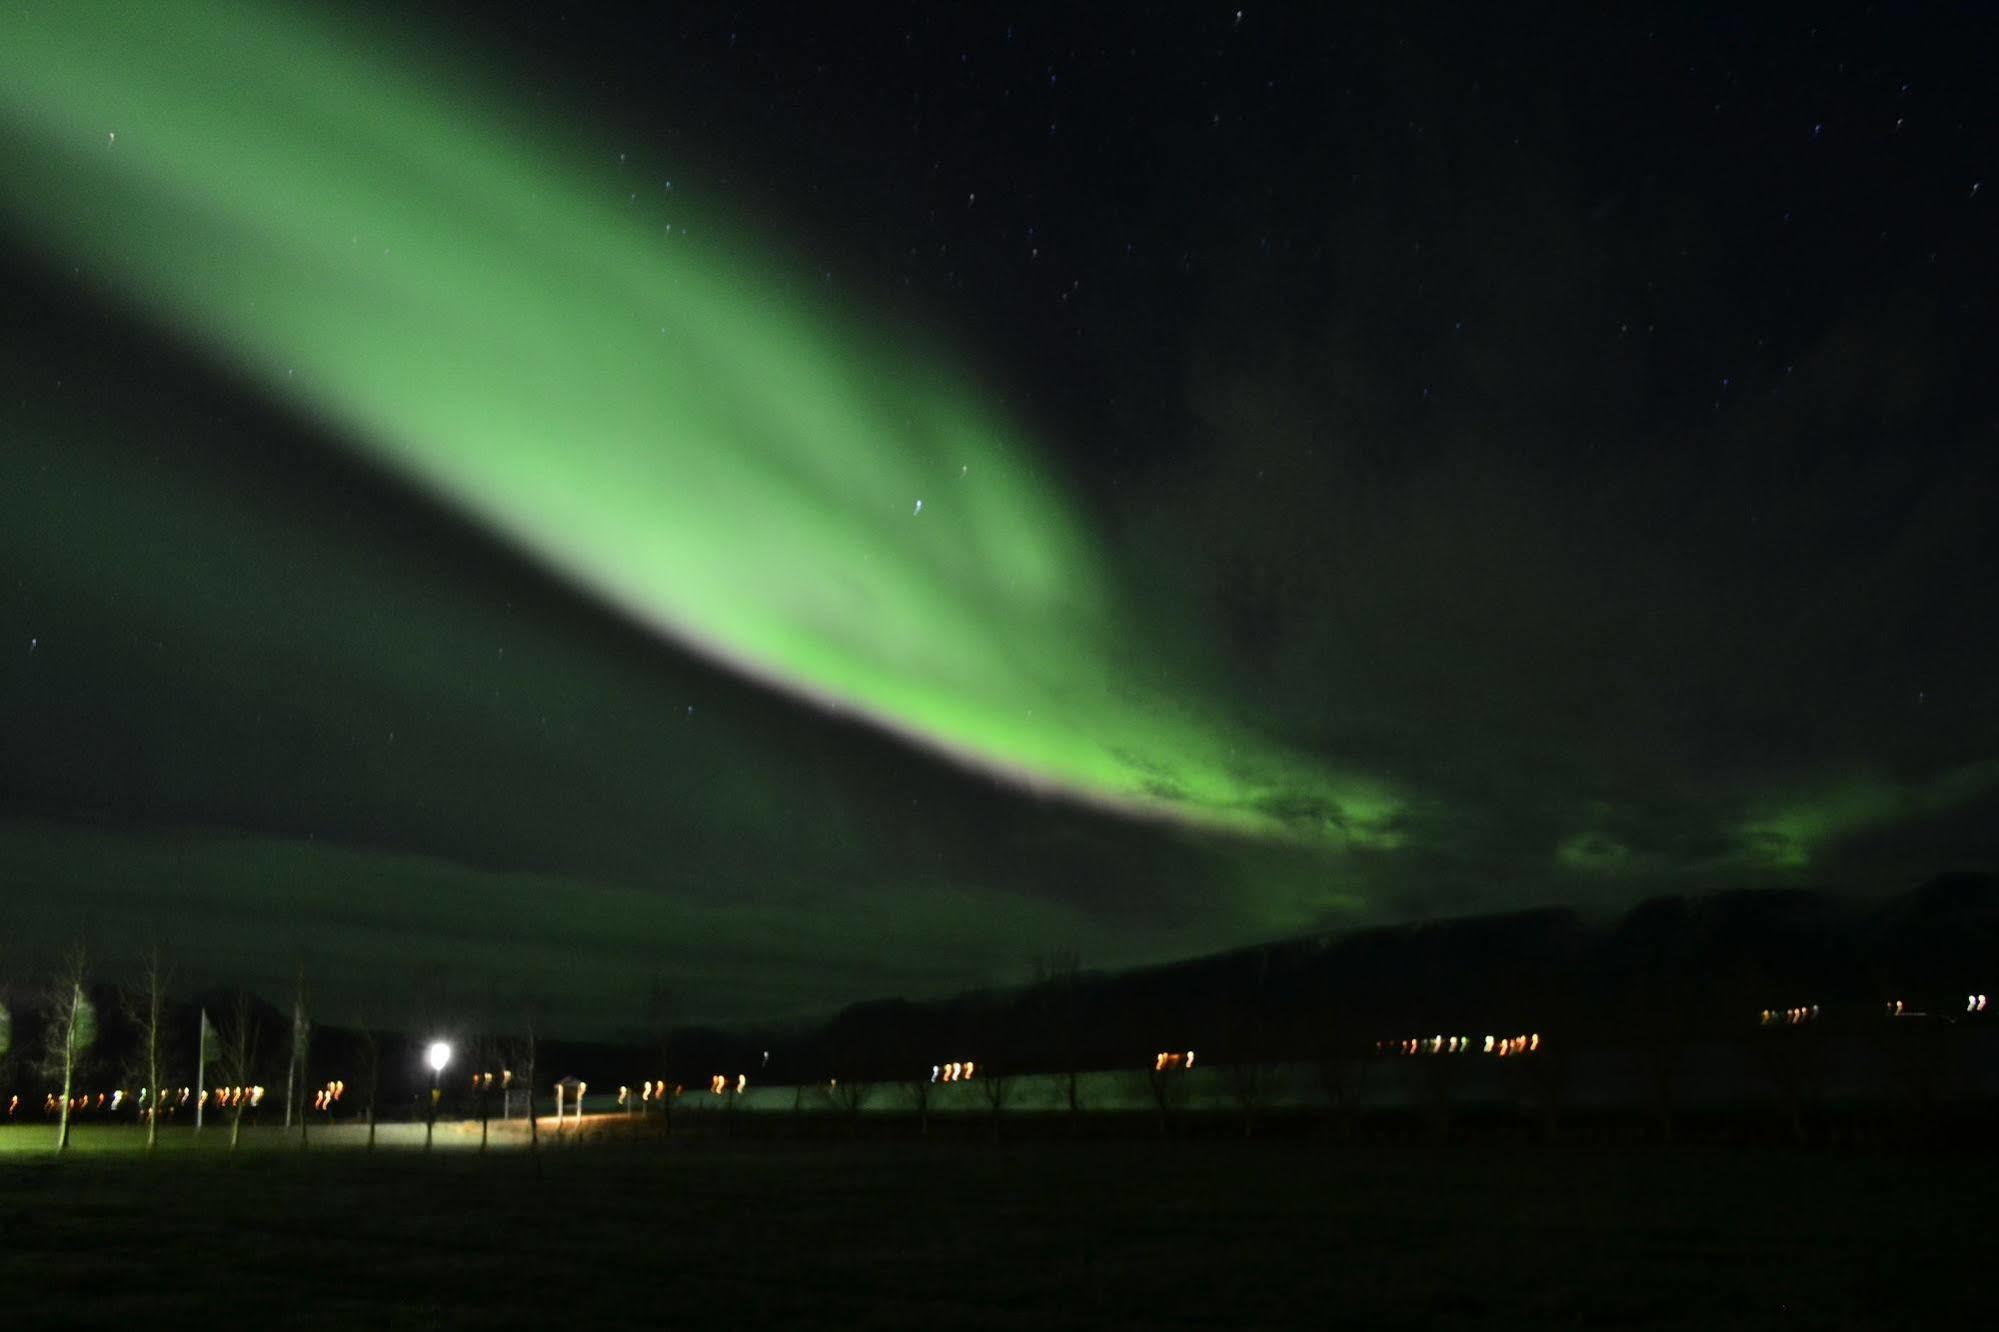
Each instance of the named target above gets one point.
<point>521,507</point>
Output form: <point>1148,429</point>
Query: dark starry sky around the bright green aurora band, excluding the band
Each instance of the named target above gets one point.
<point>1584,421</point>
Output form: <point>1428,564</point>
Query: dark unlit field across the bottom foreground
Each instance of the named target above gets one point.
<point>1044,1235</point>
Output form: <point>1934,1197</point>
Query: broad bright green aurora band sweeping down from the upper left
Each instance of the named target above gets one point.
<point>619,387</point>
